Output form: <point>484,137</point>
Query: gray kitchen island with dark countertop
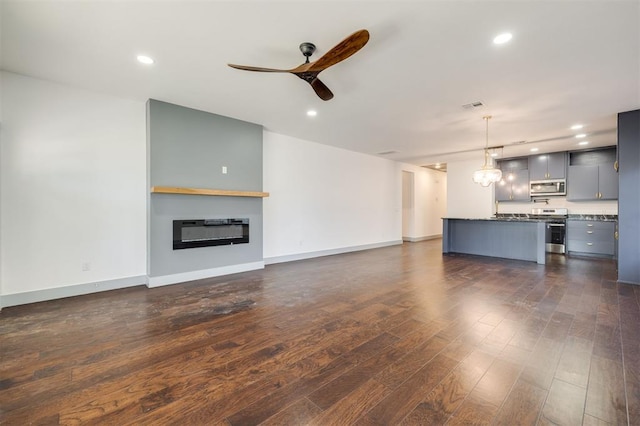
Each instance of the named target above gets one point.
<point>521,239</point>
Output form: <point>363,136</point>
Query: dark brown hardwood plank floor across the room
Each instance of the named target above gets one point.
<point>398,335</point>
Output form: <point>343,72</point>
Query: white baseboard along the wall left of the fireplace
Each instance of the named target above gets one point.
<point>70,291</point>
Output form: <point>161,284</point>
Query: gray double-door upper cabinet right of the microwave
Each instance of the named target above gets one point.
<point>592,175</point>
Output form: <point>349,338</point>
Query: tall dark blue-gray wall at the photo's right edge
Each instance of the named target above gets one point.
<point>629,197</point>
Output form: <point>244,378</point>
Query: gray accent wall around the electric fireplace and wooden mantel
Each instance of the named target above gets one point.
<point>188,148</point>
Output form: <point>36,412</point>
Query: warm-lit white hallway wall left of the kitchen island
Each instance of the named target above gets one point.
<point>429,203</point>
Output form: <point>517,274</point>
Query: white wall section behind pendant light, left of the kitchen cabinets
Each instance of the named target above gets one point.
<point>466,199</point>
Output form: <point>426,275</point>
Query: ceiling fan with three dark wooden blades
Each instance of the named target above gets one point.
<point>309,70</point>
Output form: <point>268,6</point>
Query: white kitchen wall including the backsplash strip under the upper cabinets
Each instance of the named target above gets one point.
<point>467,199</point>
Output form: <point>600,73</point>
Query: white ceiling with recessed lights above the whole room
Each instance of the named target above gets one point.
<point>568,62</point>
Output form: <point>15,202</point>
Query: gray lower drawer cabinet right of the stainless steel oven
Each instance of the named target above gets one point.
<point>594,238</point>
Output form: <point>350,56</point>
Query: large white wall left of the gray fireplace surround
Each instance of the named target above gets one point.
<point>73,186</point>
